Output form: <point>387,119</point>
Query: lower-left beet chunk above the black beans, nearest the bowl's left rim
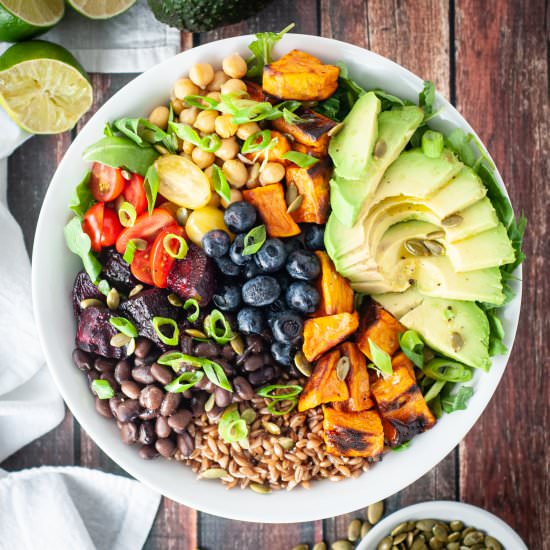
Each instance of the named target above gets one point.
<point>94,333</point>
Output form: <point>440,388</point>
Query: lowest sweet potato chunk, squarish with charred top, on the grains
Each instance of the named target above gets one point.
<point>353,433</point>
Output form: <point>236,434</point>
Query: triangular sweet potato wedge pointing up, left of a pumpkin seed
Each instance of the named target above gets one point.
<point>323,386</point>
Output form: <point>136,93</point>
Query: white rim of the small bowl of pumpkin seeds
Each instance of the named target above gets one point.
<point>446,510</point>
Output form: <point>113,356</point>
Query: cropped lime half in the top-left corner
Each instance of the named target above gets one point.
<point>21,19</point>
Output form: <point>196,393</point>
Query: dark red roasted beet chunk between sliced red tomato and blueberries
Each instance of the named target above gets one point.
<point>193,277</point>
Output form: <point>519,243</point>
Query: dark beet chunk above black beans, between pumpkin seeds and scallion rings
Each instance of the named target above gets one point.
<point>141,309</point>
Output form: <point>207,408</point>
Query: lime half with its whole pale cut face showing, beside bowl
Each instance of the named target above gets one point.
<point>43,88</point>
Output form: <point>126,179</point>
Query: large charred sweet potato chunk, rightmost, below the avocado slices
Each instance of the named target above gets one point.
<point>401,404</point>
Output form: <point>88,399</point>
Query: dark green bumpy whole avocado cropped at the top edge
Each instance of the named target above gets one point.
<point>204,15</point>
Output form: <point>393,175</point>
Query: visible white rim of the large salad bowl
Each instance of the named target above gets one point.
<point>54,268</point>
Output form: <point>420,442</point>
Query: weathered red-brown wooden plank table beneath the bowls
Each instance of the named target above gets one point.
<point>490,59</point>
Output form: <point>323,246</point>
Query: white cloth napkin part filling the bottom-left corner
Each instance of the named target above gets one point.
<point>92,510</point>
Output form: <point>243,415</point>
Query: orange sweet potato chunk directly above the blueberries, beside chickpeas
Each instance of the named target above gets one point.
<point>269,200</point>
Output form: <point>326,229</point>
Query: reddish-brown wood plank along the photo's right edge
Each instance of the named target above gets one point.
<point>502,89</point>
